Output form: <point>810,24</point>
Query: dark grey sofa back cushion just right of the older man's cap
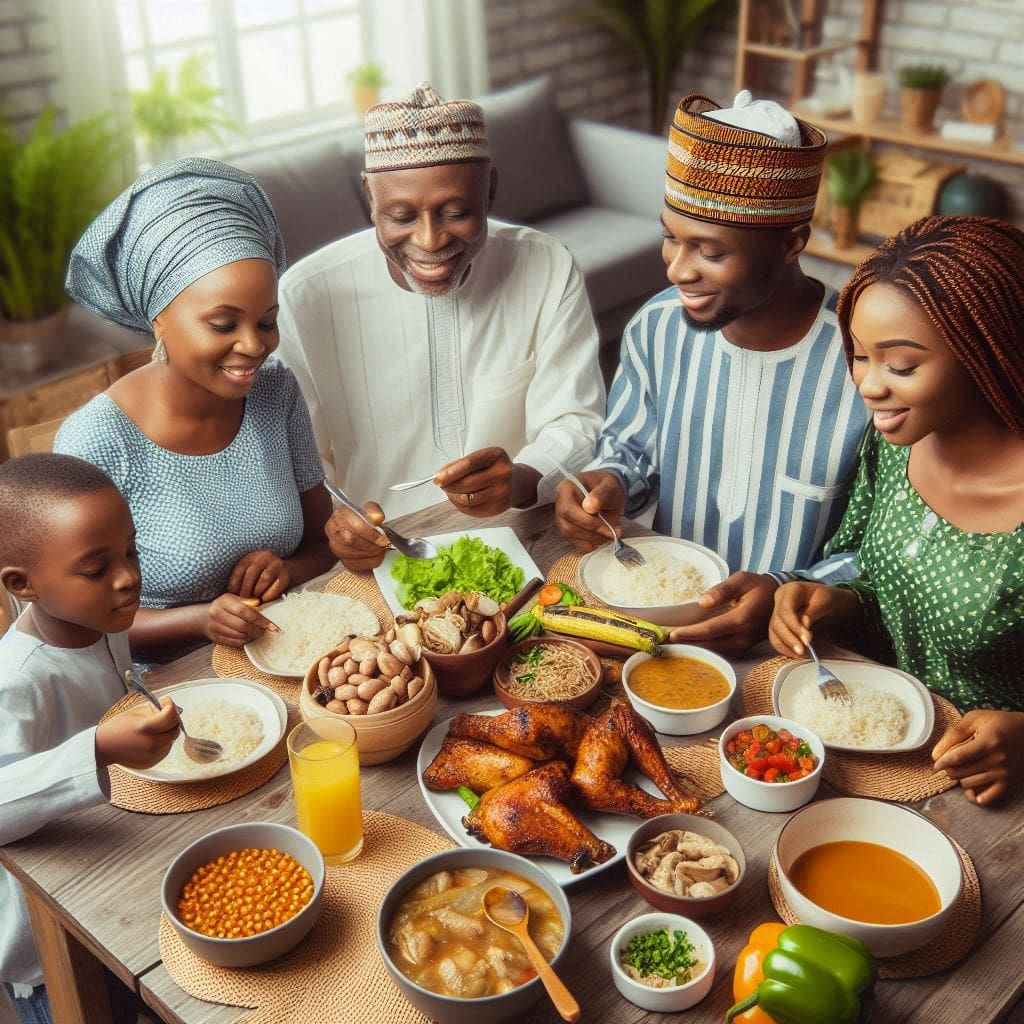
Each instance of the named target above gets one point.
<point>530,145</point>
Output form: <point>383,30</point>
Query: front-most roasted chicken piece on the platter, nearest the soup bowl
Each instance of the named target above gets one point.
<point>530,817</point>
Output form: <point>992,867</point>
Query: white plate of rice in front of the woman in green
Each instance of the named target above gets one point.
<point>889,711</point>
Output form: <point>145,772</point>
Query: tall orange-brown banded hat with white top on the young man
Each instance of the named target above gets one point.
<point>753,165</point>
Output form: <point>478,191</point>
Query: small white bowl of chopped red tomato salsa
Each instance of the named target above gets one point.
<point>771,763</point>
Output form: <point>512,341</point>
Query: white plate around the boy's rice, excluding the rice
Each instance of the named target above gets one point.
<point>268,706</point>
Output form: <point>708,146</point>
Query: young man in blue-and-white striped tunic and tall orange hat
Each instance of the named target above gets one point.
<point>733,407</point>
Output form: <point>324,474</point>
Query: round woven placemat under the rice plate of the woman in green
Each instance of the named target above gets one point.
<point>904,779</point>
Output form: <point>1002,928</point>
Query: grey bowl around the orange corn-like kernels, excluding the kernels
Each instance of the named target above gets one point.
<point>255,949</point>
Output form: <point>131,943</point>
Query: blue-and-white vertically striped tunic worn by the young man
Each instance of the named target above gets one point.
<point>751,454</point>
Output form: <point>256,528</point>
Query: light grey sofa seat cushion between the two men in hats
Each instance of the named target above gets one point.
<point>620,254</point>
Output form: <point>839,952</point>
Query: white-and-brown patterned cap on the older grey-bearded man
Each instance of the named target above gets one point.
<point>422,131</point>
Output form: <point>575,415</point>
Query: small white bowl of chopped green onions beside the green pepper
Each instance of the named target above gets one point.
<point>663,962</point>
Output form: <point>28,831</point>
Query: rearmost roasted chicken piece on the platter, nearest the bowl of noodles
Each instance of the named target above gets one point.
<point>540,732</point>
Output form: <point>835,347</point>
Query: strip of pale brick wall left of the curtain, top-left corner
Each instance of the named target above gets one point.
<point>29,70</point>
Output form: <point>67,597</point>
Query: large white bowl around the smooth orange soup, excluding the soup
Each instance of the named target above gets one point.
<point>872,822</point>
